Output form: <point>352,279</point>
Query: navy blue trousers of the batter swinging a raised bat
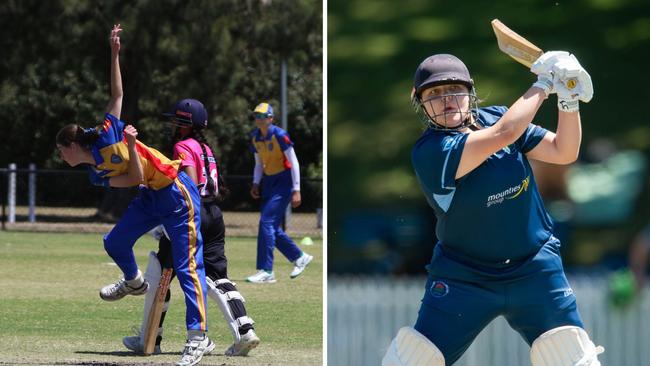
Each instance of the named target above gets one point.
<point>460,299</point>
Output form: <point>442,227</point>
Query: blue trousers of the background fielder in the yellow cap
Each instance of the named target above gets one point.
<point>276,195</point>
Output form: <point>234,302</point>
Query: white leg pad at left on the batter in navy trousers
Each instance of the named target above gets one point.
<point>411,348</point>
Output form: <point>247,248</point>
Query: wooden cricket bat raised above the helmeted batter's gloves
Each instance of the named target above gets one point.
<point>519,48</point>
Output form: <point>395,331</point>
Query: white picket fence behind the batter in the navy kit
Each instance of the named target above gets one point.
<point>365,313</point>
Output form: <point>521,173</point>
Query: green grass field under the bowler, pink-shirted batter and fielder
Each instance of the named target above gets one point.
<point>51,313</point>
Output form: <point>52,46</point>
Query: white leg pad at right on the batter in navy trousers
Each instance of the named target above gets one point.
<point>565,346</point>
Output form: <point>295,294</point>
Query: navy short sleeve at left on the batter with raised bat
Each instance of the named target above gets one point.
<point>435,159</point>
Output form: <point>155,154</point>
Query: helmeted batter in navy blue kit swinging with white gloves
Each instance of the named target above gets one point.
<point>496,253</point>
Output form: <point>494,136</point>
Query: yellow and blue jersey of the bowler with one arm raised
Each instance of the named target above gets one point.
<point>111,156</point>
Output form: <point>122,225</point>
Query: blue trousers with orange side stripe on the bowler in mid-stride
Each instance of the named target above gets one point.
<point>177,208</point>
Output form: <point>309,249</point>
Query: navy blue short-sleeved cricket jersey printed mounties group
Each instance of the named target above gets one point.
<point>492,216</point>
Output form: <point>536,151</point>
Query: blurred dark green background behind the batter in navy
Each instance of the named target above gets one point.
<point>378,220</point>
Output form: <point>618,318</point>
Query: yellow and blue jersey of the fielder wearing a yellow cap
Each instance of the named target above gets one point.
<point>271,149</point>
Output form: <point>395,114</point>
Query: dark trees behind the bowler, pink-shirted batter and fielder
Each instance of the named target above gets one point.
<point>55,70</point>
